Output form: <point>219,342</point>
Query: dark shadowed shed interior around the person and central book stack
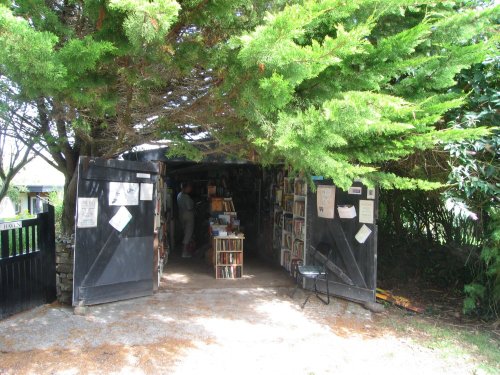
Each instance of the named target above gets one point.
<point>243,182</point>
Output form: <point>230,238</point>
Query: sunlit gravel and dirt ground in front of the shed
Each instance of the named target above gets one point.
<point>243,328</point>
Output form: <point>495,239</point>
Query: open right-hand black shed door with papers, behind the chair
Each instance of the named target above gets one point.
<point>353,265</point>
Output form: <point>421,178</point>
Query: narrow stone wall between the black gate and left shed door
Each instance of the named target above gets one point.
<point>64,268</point>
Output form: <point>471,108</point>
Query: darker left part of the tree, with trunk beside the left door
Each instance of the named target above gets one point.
<point>94,77</point>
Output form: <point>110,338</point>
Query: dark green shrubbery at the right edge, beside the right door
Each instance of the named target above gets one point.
<point>462,223</point>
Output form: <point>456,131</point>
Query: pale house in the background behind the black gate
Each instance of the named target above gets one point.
<point>39,179</point>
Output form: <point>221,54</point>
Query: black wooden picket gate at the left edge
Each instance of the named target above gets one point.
<point>27,263</point>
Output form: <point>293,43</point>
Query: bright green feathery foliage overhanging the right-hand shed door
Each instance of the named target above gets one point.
<point>339,89</point>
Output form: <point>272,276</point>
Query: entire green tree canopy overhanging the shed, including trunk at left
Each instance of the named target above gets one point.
<point>332,87</point>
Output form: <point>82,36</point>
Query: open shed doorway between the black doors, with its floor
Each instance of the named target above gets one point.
<point>248,188</point>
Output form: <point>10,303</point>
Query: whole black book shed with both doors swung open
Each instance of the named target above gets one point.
<point>247,221</point>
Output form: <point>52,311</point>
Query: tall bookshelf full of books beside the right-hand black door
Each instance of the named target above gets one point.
<point>293,239</point>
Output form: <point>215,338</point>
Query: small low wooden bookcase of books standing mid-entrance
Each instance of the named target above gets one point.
<point>228,256</point>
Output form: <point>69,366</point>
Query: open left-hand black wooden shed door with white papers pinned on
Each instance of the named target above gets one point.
<point>114,246</point>
